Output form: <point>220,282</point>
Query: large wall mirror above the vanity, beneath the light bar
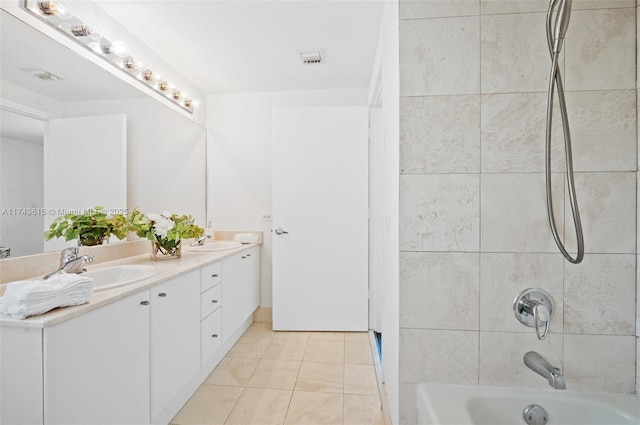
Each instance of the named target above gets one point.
<point>159,165</point>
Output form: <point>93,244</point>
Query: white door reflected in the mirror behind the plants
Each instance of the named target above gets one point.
<point>85,165</point>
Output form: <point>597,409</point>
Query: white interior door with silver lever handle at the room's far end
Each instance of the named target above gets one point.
<point>320,195</point>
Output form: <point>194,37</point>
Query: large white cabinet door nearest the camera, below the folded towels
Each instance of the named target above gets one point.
<point>96,366</point>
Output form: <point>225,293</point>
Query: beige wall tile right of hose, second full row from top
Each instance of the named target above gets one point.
<point>603,130</point>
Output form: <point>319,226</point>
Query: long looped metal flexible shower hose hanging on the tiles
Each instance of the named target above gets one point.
<point>555,80</point>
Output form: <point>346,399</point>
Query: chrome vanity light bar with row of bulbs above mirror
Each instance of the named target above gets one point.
<point>59,15</point>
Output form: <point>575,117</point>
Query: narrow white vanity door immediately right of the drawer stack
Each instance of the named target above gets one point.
<point>233,293</point>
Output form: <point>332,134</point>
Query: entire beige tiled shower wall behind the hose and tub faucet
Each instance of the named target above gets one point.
<point>473,225</point>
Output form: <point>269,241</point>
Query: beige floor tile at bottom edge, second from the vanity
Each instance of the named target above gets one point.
<point>259,406</point>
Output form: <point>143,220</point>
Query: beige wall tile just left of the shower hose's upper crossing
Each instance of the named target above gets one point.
<point>515,57</point>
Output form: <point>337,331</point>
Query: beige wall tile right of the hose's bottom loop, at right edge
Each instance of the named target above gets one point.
<point>608,210</point>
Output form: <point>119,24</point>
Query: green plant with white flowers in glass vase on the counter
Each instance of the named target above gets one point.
<point>165,231</point>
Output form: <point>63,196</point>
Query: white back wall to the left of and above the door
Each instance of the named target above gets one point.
<point>239,151</point>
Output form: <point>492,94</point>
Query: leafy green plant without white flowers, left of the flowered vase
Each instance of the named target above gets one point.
<point>90,227</point>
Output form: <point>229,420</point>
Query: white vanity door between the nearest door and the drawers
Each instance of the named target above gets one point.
<point>174,337</point>
